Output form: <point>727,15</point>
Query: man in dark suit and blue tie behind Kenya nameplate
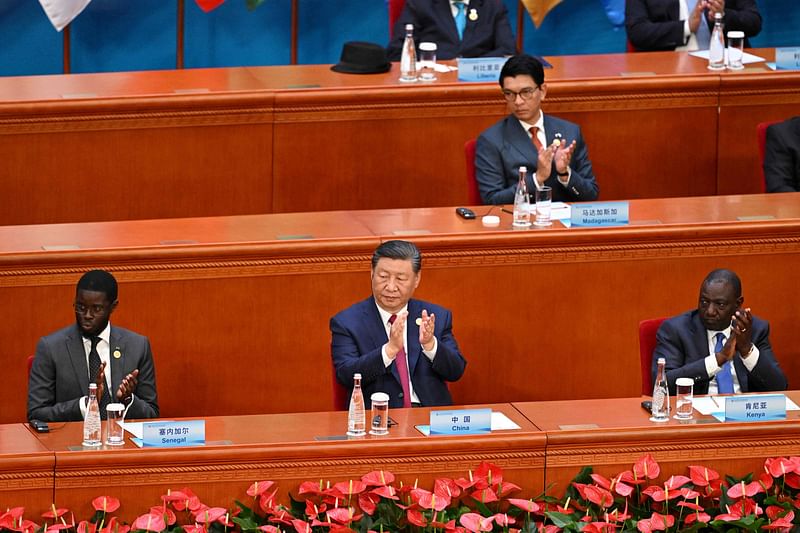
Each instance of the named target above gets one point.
<point>720,345</point>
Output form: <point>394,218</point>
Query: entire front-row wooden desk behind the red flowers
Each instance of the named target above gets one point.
<point>554,441</point>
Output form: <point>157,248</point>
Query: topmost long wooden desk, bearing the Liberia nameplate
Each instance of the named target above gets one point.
<point>236,141</point>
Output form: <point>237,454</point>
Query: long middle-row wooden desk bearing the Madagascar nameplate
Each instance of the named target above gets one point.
<point>239,321</point>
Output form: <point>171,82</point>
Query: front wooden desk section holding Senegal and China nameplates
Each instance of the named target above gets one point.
<point>288,449</point>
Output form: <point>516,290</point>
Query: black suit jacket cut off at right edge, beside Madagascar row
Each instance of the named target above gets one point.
<point>782,156</point>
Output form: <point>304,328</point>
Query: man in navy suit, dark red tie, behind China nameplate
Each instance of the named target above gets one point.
<point>400,346</point>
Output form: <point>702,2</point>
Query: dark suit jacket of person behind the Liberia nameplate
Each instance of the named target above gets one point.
<point>487,36</point>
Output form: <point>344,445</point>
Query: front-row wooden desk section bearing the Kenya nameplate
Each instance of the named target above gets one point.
<point>611,435</point>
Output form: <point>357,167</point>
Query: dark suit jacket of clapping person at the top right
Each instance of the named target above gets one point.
<point>654,24</point>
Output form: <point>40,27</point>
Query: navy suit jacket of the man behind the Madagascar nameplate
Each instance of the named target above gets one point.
<point>506,146</point>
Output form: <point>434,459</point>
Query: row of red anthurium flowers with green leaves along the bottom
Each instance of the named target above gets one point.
<point>629,501</point>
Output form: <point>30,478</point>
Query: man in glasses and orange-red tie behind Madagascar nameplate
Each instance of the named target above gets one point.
<point>550,148</point>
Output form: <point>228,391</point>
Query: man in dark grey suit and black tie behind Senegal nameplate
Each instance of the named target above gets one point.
<point>92,350</point>
